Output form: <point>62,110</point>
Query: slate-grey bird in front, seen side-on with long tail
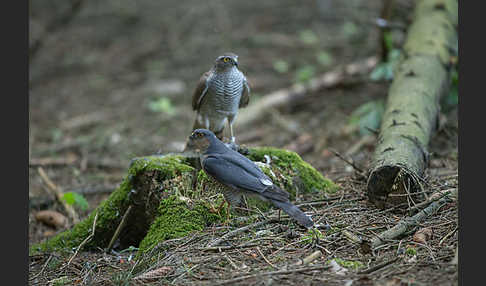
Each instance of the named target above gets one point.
<point>239,175</point>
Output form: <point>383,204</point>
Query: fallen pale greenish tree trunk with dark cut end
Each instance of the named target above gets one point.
<point>421,78</point>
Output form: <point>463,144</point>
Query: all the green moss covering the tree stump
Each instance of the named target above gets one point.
<point>177,218</point>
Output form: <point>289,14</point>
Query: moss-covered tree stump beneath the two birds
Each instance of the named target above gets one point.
<point>165,205</point>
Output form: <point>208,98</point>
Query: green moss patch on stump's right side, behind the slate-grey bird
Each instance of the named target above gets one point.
<point>289,162</point>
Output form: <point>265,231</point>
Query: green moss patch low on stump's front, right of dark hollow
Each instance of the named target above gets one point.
<point>176,219</point>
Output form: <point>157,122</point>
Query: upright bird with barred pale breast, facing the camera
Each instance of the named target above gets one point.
<point>221,91</point>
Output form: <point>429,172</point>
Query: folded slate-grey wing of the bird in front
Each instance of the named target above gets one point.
<point>236,172</point>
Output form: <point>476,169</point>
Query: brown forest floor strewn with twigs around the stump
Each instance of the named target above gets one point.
<point>112,85</point>
